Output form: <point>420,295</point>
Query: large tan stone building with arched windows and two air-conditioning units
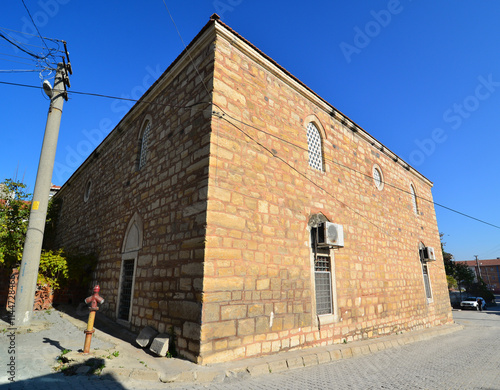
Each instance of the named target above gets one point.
<point>237,209</point>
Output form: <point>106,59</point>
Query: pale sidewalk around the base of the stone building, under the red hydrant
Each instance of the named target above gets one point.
<point>115,355</point>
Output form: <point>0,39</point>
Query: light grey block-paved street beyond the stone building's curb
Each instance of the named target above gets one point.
<point>468,359</point>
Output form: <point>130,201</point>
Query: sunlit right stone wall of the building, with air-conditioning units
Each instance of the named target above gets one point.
<point>258,282</point>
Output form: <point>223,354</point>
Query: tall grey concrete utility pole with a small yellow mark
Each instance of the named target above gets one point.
<point>30,262</point>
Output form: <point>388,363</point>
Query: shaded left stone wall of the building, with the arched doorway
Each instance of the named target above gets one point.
<point>168,193</point>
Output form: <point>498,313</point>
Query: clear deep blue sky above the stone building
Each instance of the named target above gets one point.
<point>421,76</point>
